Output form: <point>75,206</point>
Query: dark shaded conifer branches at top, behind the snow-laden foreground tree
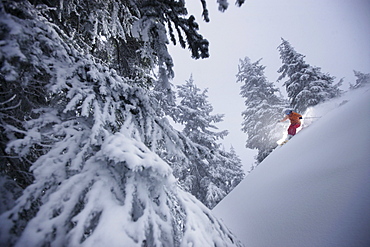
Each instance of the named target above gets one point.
<point>128,36</point>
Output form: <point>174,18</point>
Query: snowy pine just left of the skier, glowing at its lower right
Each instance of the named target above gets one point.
<point>264,106</point>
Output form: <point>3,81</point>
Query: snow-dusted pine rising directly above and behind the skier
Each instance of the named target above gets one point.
<point>306,85</point>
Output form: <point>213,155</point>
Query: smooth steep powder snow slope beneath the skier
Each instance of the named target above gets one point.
<point>314,190</point>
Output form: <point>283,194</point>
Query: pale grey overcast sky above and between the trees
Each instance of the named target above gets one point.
<point>332,34</point>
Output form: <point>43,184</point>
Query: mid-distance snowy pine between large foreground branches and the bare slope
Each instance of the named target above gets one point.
<point>209,176</point>
